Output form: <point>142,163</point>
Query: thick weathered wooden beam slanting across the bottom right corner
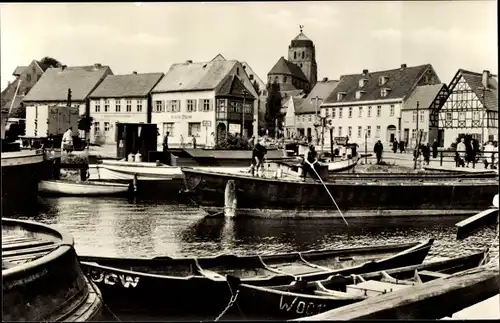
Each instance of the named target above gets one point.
<point>432,300</point>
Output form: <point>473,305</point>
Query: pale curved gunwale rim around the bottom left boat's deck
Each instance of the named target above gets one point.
<point>66,244</point>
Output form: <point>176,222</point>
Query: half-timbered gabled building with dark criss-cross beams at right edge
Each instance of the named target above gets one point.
<point>471,107</point>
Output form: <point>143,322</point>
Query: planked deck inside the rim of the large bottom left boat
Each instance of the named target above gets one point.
<point>19,247</point>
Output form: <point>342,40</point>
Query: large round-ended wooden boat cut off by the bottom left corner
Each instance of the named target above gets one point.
<point>41,277</point>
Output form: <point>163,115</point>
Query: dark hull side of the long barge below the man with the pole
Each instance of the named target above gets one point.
<point>256,193</point>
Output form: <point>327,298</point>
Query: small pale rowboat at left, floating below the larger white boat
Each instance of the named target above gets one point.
<point>83,188</point>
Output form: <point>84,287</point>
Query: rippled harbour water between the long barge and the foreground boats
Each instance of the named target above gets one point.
<point>118,228</point>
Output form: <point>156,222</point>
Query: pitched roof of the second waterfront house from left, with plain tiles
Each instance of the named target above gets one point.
<point>130,85</point>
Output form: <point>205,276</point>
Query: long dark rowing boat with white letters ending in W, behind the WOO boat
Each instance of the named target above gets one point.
<point>200,284</point>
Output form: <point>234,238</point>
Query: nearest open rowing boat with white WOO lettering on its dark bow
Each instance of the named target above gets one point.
<point>302,298</point>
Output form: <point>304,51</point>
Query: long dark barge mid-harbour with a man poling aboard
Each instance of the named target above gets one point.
<point>292,197</point>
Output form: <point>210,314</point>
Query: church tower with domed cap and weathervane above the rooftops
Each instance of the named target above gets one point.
<point>302,53</point>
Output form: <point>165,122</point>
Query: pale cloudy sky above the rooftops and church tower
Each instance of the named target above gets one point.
<point>349,36</point>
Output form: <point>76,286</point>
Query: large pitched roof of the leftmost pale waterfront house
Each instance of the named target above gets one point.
<point>55,82</point>
